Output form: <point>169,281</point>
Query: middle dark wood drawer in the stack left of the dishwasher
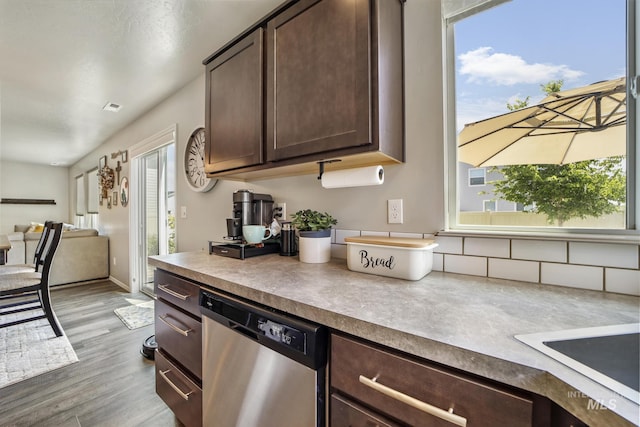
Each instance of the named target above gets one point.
<point>180,336</point>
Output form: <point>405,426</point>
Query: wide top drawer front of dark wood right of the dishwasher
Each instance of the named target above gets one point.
<point>481,404</point>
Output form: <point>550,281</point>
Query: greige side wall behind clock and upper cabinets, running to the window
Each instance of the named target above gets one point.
<point>419,181</point>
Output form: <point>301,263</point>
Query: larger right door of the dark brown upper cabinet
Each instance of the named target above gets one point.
<point>318,78</point>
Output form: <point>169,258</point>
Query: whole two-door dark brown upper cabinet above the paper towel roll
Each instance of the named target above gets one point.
<point>331,88</point>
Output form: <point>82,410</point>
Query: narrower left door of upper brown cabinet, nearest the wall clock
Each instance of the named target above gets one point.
<point>234,113</point>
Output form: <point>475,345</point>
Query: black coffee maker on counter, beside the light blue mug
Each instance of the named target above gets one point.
<point>249,209</point>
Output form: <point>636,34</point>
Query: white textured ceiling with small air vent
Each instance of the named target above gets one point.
<point>61,61</point>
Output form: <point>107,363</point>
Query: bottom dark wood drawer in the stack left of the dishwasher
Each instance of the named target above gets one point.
<point>181,394</point>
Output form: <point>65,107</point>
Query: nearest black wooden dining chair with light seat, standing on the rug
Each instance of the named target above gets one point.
<point>17,290</point>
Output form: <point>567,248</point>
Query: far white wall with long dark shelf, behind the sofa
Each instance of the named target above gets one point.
<point>31,181</point>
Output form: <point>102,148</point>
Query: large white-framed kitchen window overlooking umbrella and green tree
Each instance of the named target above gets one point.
<point>498,70</point>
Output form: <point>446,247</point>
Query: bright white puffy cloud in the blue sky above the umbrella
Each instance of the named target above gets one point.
<point>483,65</point>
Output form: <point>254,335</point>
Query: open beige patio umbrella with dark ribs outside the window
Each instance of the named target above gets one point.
<point>565,127</point>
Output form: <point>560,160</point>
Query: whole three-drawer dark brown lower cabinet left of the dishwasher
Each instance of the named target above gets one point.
<point>179,355</point>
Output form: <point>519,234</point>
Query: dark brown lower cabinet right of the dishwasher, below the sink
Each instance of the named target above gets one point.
<point>374,386</point>
